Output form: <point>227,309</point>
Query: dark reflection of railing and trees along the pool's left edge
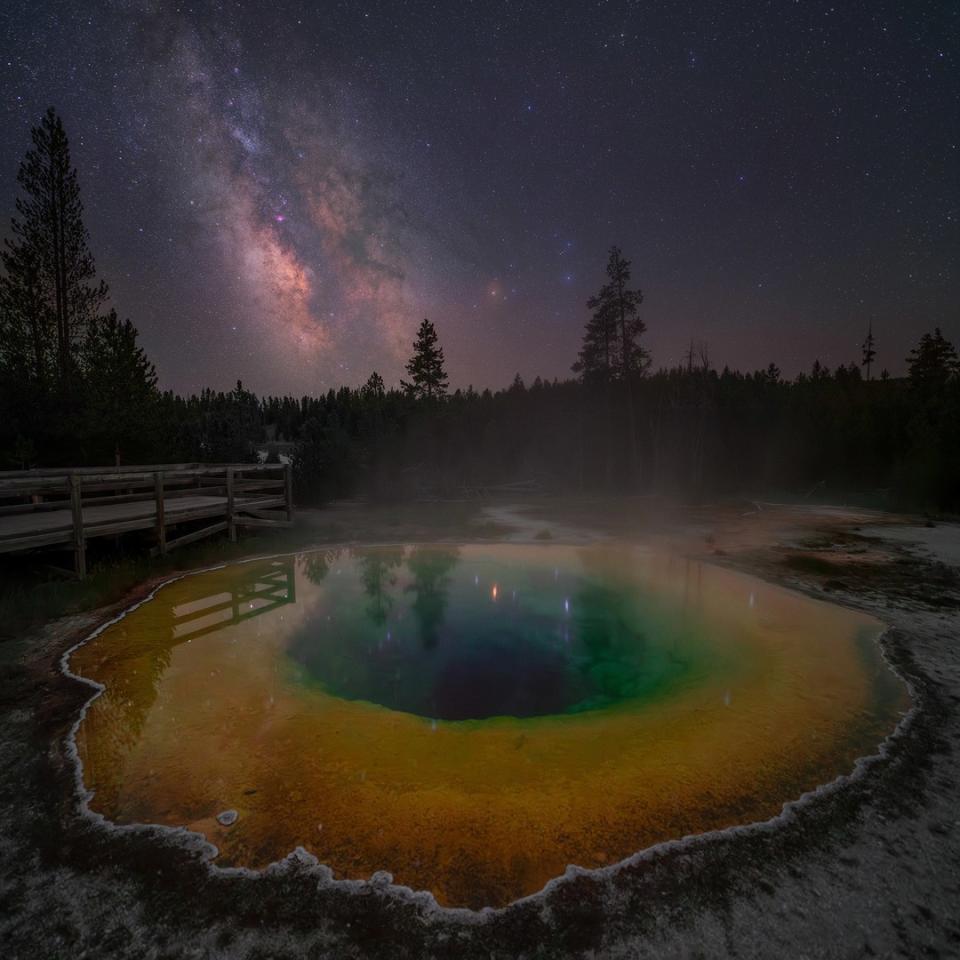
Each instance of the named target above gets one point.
<point>138,653</point>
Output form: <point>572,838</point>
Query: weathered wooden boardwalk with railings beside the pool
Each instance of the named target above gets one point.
<point>57,508</point>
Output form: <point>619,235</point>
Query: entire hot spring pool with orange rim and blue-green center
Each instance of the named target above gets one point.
<point>472,719</point>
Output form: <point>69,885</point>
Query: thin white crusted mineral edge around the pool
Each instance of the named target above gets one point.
<point>381,882</point>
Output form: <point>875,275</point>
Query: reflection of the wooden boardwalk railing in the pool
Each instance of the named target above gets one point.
<point>262,588</point>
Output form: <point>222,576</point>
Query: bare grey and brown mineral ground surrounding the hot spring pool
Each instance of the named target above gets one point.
<point>867,867</point>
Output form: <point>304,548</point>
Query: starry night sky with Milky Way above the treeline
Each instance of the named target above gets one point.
<point>280,191</point>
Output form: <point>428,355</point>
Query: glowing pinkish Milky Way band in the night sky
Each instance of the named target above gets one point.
<point>319,250</point>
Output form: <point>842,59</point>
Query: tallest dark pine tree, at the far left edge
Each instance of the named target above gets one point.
<point>49,295</point>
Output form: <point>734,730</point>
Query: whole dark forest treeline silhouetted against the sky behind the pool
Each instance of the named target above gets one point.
<point>76,389</point>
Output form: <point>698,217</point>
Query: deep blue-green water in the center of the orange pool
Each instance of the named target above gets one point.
<point>432,633</point>
